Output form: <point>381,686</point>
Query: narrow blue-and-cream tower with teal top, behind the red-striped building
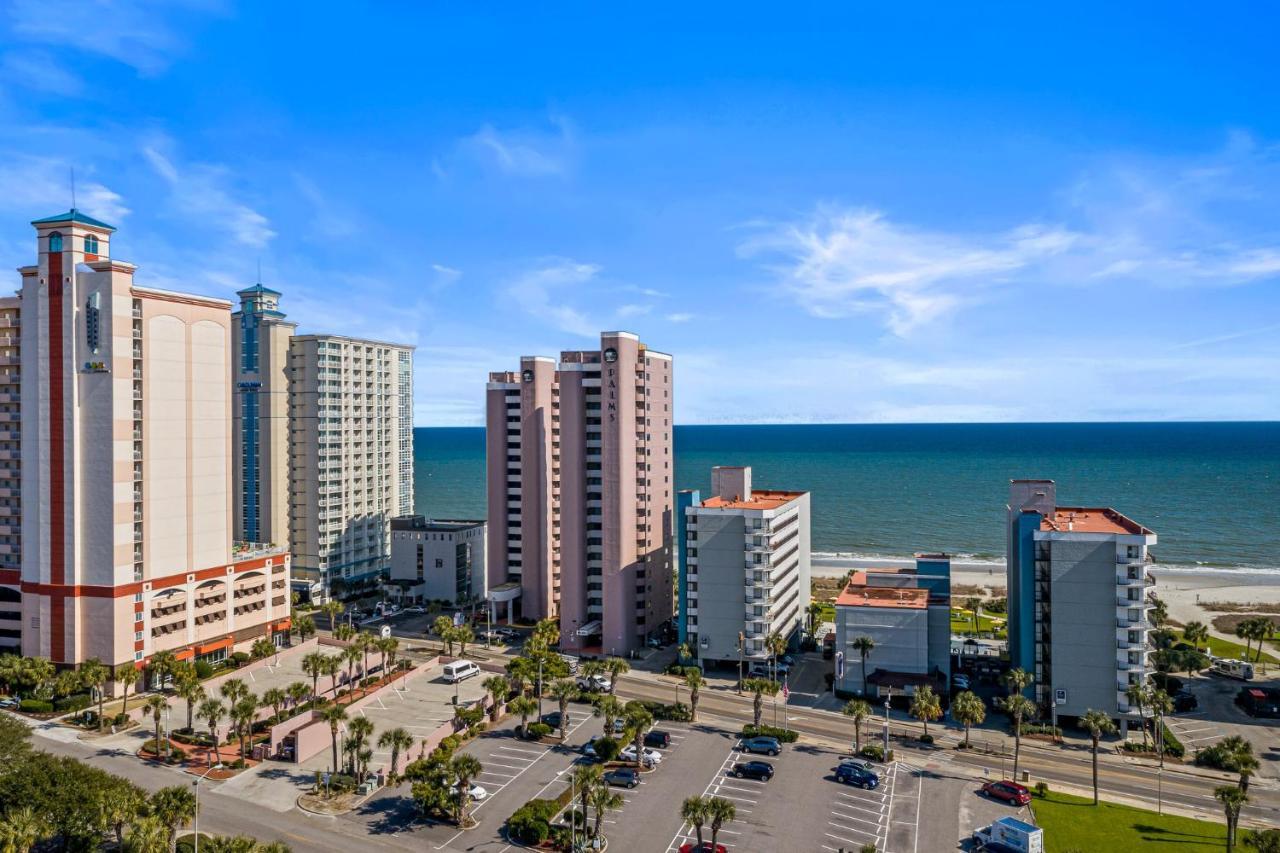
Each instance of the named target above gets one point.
<point>260,348</point>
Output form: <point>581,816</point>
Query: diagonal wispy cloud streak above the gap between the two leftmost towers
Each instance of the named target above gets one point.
<point>199,190</point>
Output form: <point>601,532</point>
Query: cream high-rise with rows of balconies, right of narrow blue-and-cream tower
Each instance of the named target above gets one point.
<point>351,457</point>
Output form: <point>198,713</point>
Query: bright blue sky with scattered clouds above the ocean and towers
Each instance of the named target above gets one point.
<point>921,213</point>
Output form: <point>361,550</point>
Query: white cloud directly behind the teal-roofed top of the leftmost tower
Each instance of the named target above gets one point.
<point>43,185</point>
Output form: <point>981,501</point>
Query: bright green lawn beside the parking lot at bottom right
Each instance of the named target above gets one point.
<point>1076,824</point>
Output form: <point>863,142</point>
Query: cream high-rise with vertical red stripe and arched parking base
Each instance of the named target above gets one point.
<point>127,467</point>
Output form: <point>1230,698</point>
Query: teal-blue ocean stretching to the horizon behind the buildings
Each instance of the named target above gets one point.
<point>1212,491</point>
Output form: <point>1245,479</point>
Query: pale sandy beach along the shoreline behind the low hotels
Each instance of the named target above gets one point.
<point>1183,590</point>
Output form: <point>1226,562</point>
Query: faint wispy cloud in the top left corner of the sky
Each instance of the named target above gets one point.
<point>134,33</point>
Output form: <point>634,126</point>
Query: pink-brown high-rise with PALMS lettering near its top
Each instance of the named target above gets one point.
<point>580,483</point>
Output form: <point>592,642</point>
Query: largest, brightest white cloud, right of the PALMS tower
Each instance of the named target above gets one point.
<point>852,262</point>
